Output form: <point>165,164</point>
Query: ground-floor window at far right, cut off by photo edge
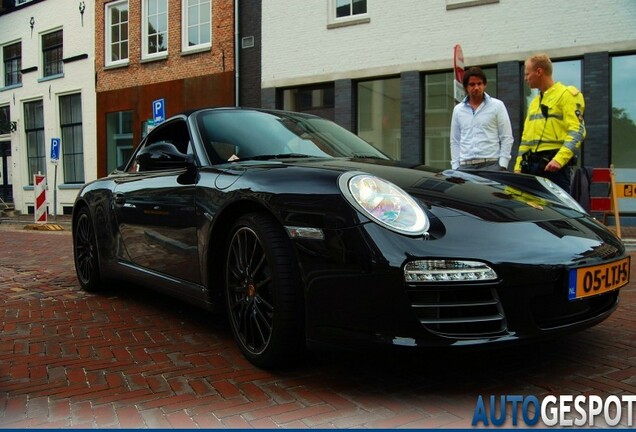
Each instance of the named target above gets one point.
<point>623,126</point>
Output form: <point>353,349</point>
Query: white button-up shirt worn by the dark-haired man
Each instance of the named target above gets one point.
<point>484,133</point>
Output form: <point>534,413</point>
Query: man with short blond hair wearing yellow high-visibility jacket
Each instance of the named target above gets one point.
<point>554,129</point>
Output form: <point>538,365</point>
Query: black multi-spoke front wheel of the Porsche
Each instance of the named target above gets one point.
<point>263,296</point>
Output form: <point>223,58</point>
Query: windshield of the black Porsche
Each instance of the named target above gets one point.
<point>234,135</point>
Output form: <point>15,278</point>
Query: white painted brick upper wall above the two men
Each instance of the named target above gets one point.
<point>406,35</point>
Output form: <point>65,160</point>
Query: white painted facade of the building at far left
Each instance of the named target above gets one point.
<point>79,77</point>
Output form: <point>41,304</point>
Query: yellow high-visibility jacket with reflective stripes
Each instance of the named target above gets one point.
<point>562,130</point>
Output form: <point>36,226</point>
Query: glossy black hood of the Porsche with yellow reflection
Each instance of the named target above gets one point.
<point>512,197</point>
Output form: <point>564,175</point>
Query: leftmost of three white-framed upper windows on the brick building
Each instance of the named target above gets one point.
<point>116,33</point>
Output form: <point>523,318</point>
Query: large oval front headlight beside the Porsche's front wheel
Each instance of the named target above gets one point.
<point>384,203</point>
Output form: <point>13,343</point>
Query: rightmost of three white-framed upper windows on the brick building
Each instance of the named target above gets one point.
<point>197,17</point>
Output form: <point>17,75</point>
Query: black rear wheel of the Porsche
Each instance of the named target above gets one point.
<point>85,252</point>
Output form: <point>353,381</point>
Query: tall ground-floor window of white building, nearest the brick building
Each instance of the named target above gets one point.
<point>72,138</point>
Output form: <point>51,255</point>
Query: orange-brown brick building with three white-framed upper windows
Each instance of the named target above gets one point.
<point>145,52</point>
